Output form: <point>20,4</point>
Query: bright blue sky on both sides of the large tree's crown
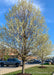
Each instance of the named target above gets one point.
<point>46,8</point>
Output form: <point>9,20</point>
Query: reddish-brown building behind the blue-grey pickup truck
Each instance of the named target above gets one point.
<point>8,51</point>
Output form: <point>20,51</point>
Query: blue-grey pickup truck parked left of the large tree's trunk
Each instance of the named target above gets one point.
<point>10,61</point>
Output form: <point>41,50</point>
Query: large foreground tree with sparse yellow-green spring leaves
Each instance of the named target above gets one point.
<point>23,24</point>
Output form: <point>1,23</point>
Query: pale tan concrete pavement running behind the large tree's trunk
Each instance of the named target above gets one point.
<point>4,70</point>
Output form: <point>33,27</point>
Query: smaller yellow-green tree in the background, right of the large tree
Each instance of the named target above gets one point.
<point>44,47</point>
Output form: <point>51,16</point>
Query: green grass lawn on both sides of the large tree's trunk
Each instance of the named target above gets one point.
<point>37,71</point>
